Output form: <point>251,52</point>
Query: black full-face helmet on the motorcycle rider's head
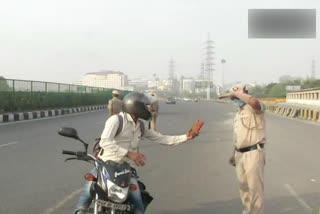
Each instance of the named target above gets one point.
<point>137,104</point>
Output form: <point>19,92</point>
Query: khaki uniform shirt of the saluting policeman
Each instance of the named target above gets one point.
<point>249,126</point>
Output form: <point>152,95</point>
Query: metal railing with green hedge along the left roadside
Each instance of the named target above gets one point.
<point>23,95</point>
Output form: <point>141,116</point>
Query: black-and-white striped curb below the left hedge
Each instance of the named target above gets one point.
<point>31,115</point>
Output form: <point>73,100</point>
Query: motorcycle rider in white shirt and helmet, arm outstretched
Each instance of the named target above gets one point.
<point>124,147</point>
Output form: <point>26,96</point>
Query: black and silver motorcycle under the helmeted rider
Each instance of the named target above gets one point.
<point>111,186</point>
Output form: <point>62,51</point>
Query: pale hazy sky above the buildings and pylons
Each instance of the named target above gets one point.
<point>61,40</point>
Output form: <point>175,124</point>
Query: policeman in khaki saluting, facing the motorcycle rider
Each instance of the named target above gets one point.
<point>249,155</point>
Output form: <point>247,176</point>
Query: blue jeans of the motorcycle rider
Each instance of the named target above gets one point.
<point>85,198</point>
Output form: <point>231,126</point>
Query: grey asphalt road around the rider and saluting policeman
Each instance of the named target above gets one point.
<point>192,178</point>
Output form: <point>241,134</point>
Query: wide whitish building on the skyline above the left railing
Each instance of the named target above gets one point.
<point>106,79</point>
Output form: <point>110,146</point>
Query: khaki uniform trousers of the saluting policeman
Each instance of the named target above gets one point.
<point>250,173</point>
